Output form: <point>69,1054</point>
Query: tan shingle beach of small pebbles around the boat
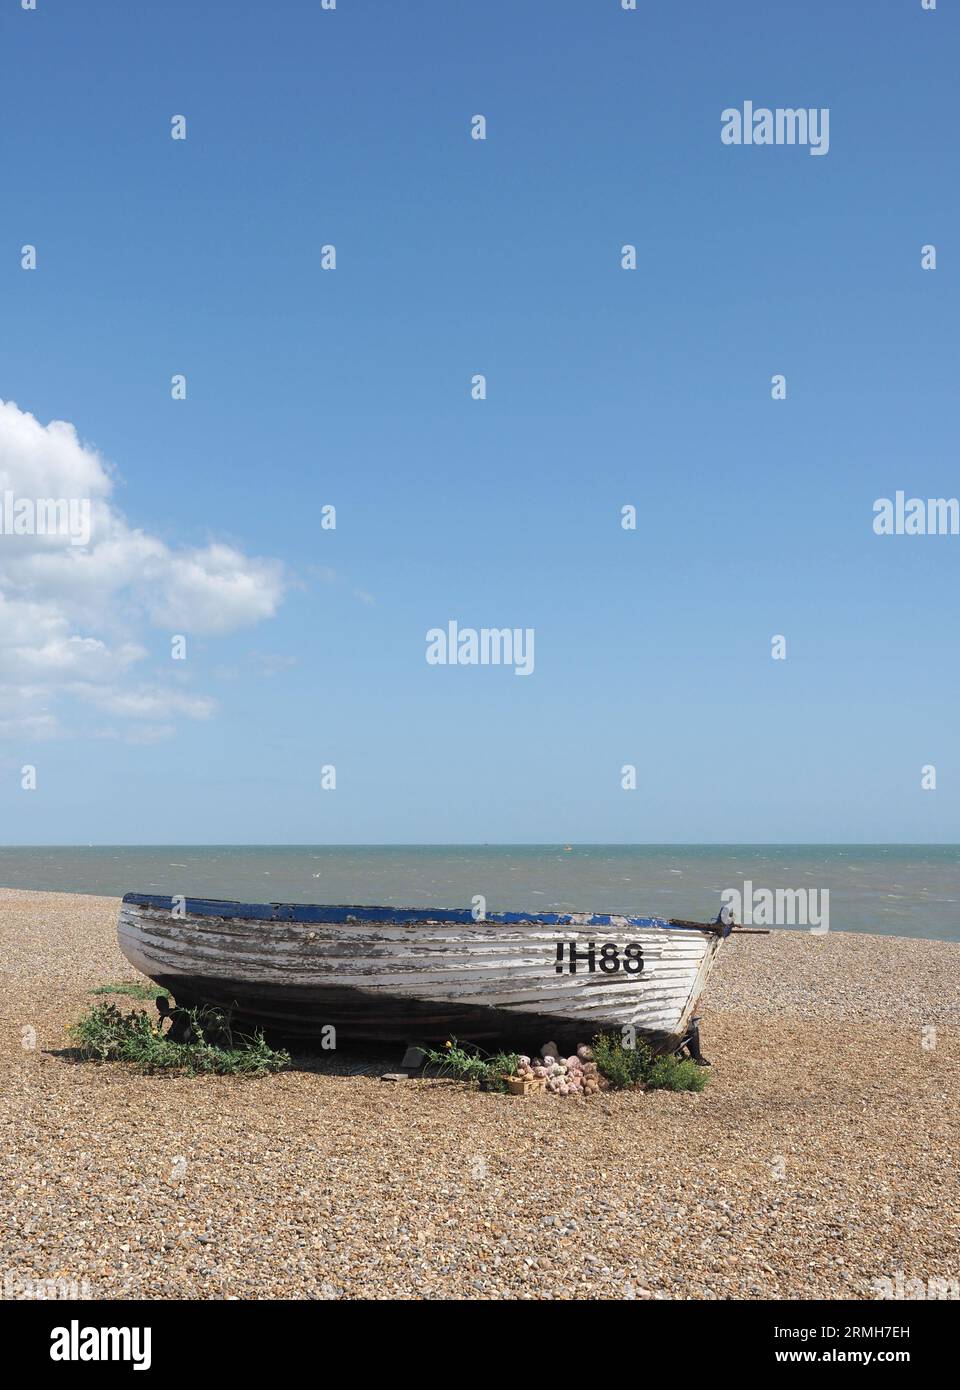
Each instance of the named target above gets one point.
<point>820,1160</point>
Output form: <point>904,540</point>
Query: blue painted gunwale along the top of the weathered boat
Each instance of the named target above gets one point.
<point>301,913</point>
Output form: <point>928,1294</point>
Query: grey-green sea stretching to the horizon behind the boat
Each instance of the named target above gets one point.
<point>888,890</point>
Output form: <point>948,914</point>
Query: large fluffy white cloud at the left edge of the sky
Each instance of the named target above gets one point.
<point>73,616</point>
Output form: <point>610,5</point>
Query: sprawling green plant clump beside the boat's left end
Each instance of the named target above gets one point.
<point>105,1033</point>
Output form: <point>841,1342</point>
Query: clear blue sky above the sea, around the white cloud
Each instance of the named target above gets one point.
<point>605,389</point>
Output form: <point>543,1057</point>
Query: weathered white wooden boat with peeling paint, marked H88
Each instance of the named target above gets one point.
<point>401,974</point>
